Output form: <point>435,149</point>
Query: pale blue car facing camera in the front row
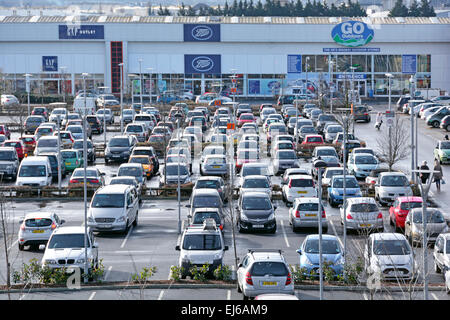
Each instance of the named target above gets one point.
<point>332,253</point>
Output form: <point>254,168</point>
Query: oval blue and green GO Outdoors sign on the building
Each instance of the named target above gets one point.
<point>352,34</point>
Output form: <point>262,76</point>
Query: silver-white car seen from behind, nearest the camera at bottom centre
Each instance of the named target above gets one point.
<point>264,271</point>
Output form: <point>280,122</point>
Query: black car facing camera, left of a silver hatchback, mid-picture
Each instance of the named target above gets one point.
<point>256,212</point>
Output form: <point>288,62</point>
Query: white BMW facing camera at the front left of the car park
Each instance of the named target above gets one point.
<point>65,248</point>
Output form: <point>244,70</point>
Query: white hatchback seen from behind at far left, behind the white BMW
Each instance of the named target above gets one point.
<point>36,228</point>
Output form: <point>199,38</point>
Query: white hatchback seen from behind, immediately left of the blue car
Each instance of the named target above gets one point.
<point>298,186</point>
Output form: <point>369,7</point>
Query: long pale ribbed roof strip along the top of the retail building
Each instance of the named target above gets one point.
<point>104,19</point>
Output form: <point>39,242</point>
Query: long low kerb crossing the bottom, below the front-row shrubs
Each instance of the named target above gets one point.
<point>212,286</point>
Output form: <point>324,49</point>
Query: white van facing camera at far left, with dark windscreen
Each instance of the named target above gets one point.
<point>34,171</point>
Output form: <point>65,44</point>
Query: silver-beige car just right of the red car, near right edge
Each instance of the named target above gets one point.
<point>436,225</point>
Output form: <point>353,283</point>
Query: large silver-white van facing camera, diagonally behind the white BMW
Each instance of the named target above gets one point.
<point>114,208</point>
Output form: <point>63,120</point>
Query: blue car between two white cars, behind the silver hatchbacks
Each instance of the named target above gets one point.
<point>336,189</point>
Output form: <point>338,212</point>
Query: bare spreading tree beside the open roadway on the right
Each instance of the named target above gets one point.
<point>393,145</point>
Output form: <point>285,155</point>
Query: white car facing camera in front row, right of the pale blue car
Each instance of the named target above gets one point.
<point>389,256</point>
